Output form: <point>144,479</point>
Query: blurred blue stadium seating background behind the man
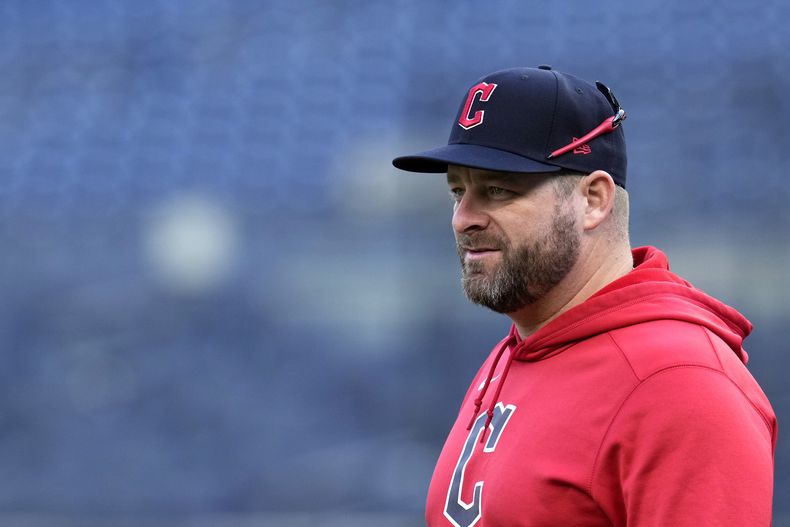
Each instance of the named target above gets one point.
<point>222,306</point>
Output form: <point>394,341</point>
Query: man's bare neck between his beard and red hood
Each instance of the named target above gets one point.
<point>586,278</point>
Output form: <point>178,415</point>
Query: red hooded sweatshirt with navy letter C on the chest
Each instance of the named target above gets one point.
<point>634,408</point>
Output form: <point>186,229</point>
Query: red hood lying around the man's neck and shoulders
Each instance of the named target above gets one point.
<point>649,292</point>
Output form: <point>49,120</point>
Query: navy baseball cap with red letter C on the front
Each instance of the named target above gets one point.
<point>532,120</point>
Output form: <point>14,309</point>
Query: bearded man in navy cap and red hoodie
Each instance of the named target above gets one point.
<point>619,396</point>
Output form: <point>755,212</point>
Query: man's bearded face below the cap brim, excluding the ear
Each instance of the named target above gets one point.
<point>516,237</point>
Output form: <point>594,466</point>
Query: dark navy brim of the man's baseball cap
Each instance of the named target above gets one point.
<point>473,156</point>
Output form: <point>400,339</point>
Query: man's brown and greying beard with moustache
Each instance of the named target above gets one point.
<point>527,272</point>
